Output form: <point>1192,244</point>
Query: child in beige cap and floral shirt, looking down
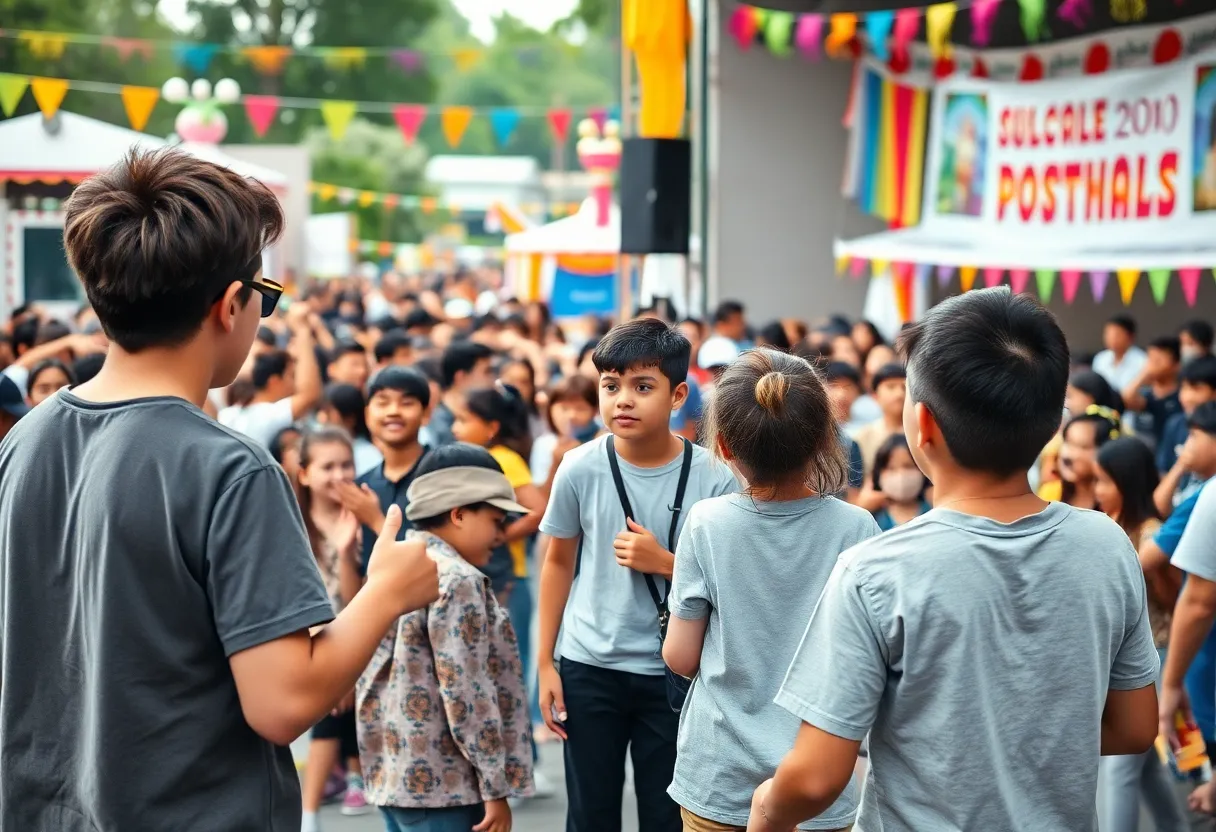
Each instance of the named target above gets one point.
<point>444,732</point>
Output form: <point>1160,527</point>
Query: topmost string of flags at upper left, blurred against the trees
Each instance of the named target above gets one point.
<point>267,60</point>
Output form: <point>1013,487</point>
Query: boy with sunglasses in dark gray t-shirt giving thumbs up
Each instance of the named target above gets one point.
<point>157,587</point>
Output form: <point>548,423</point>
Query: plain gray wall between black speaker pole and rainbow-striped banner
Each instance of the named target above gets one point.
<point>776,204</point>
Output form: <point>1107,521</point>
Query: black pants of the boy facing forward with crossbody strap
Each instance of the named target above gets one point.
<point>609,712</point>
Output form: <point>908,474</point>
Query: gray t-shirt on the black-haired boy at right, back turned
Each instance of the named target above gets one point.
<point>978,656</point>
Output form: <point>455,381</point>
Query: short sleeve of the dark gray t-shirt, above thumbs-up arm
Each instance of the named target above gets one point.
<point>262,578</point>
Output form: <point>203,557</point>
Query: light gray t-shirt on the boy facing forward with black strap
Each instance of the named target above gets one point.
<point>611,621</point>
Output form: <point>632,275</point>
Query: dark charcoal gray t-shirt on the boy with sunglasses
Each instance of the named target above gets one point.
<point>142,546</point>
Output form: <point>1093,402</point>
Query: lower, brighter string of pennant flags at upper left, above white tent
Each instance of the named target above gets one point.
<point>262,110</point>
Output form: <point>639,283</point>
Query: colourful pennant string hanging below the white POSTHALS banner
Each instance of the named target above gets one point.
<point>904,274</point>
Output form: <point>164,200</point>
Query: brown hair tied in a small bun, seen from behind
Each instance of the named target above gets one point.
<point>774,415</point>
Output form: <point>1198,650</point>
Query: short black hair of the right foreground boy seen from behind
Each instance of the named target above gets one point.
<point>992,367</point>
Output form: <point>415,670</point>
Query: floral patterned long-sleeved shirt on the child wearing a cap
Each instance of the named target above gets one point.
<point>443,718</point>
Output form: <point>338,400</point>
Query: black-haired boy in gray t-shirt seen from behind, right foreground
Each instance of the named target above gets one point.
<point>992,649</point>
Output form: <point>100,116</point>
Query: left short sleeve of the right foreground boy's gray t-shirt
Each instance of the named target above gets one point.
<point>840,671</point>
